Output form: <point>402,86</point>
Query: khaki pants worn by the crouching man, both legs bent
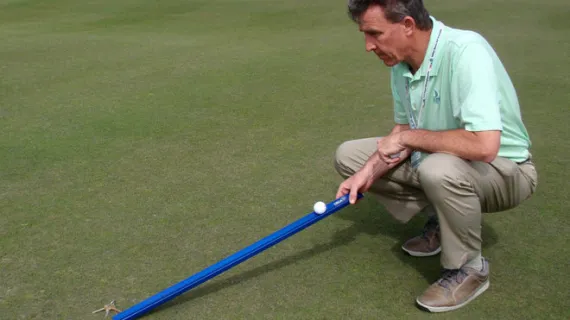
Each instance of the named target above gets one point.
<point>458,190</point>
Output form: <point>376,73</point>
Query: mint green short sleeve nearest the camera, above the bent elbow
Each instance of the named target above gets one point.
<point>476,89</point>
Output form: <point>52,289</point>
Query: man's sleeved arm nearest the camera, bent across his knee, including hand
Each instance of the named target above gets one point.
<point>474,84</point>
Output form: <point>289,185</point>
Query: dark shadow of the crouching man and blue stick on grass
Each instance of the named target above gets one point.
<point>368,217</point>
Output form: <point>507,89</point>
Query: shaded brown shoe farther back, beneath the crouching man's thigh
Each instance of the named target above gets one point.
<point>426,244</point>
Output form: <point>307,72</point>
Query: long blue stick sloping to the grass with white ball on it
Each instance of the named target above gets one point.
<point>172,292</point>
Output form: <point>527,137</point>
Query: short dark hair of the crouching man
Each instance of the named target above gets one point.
<point>394,11</point>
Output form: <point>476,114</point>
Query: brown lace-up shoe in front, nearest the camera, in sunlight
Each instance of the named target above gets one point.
<point>455,289</point>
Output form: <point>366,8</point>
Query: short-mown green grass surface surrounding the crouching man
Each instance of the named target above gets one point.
<point>142,141</point>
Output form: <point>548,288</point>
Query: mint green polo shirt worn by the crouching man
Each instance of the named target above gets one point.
<point>468,88</point>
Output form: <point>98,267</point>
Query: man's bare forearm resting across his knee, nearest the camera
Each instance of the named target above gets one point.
<point>462,143</point>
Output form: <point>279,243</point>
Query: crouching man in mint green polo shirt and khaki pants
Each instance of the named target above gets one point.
<point>458,148</point>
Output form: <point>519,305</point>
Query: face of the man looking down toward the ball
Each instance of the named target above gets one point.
<point>387,39</point>
